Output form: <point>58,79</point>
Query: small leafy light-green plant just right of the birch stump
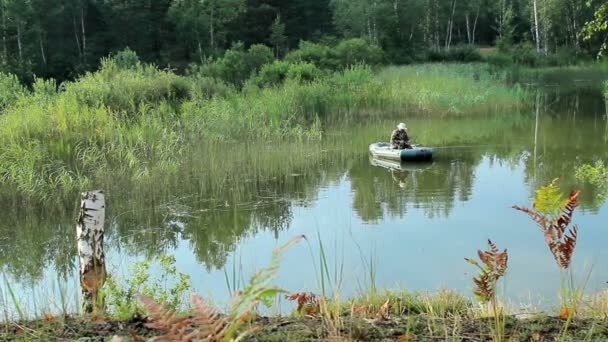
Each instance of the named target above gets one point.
<point>120,295</point>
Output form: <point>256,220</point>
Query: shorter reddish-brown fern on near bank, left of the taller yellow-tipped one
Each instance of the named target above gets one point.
<point>493,266</point>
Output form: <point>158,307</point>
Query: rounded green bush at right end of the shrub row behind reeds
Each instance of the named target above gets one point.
<point>358,51</point>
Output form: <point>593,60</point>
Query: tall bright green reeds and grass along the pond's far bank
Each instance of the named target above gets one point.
<point>137,120</point>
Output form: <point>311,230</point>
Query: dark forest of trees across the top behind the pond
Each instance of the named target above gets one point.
<point>62,39</point>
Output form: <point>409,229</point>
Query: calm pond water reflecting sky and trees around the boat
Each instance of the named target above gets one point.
<point>228,206</point>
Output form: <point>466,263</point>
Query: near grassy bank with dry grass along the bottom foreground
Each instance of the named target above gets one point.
<point>396,316</point>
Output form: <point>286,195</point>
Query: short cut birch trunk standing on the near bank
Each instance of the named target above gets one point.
<point>89,234</point>
